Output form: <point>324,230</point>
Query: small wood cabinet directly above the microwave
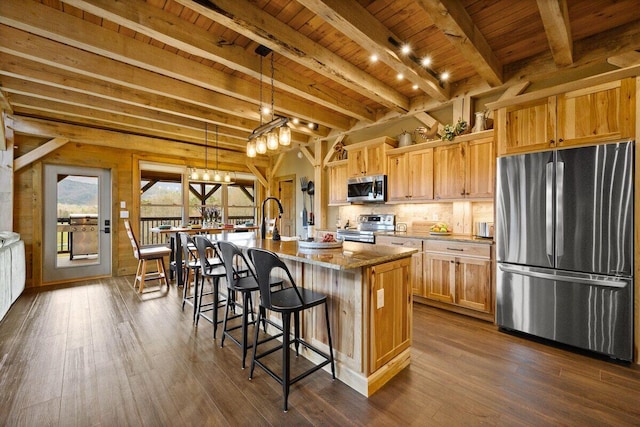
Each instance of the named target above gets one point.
<point>369,157</point>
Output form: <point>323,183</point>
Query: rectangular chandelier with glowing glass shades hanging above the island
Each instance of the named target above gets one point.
<point>271,135</point>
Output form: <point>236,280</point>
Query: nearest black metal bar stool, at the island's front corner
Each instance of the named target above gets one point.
<point>286,301</point>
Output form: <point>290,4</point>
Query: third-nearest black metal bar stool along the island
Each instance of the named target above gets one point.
<point>215,272</point>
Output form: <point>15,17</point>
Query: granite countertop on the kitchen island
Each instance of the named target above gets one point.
<point>351,255</point>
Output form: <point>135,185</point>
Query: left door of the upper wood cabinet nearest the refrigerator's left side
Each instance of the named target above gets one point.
<point>449,174</point>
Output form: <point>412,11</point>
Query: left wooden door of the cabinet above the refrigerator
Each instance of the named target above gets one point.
<point>528,127</point>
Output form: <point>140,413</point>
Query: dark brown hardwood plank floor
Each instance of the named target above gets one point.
<point>98,355</point>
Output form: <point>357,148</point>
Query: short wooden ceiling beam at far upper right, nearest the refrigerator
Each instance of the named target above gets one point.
<point>555,18</point>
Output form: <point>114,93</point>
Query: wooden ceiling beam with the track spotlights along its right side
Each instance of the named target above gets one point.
<point>355,21</point>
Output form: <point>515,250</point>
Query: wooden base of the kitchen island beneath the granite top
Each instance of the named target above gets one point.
<point>370,313</point>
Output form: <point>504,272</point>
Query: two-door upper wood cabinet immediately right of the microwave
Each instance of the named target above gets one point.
<point>410,175</point>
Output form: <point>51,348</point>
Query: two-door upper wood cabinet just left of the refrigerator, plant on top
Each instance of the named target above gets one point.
<point>465,169</point>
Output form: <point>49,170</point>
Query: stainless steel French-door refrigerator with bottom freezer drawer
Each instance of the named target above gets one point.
<point>564,245</point>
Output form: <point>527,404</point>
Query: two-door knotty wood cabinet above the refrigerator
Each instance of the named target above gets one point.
<point>586,116</point>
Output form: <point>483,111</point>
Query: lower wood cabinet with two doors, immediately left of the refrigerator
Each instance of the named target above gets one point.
<point>459,275</point>
